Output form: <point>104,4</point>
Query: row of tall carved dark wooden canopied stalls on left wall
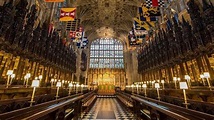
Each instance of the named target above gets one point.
<point>25,49</point>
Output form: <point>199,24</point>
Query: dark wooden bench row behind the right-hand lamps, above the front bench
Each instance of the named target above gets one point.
<point>177,99</point>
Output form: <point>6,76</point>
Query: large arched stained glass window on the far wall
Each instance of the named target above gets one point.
<point>106,53</point>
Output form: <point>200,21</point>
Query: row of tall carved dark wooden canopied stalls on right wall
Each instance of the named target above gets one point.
<point>184,49</point>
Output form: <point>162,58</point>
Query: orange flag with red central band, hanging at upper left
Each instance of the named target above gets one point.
<point>67,14</point>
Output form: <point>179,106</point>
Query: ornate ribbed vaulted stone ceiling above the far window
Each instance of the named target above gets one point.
<point>106,18</point>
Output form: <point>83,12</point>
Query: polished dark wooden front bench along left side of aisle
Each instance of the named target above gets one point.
<point>52,109</point>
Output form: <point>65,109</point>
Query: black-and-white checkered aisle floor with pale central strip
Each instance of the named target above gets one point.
<point>107,108</point>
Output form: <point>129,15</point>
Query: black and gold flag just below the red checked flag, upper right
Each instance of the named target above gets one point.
<point>149,11</point>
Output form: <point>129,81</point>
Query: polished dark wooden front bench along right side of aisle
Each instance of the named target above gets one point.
<point>161,110</point>
